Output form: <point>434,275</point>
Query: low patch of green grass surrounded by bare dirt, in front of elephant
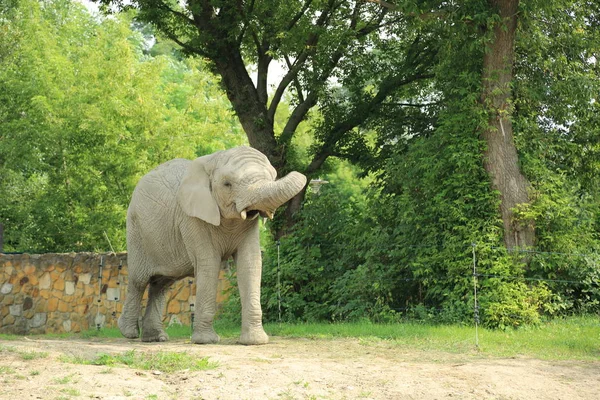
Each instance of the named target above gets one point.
<point>160,361</point>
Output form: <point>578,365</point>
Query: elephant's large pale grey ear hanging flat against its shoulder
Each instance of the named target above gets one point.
<point>195,196</point>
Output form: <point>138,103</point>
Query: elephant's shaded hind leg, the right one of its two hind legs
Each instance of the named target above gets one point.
<point>152,326</point>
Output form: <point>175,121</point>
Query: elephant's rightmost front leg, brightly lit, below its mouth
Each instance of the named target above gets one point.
<point>249,269</point>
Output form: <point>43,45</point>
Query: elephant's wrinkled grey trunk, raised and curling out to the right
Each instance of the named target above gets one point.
<point>267,196</point>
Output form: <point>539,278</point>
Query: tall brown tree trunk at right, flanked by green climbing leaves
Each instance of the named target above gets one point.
<point>501,158</point>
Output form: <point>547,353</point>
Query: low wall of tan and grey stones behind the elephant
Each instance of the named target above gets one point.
<point>56,293</point>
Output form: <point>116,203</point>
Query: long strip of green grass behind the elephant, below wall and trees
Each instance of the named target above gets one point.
<point>571,338</point>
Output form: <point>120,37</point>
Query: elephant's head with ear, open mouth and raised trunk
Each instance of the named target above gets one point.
<point>235,184</point>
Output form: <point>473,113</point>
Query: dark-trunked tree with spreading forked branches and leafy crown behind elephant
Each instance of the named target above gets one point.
<point>319,43</point>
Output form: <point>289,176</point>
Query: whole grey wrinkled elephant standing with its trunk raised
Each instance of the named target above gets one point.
<point>184,219</point>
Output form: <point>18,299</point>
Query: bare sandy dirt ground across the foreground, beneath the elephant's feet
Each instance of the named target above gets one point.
<point>289,369</point>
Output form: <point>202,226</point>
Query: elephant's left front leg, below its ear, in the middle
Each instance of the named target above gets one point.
<point>207,279</point>
